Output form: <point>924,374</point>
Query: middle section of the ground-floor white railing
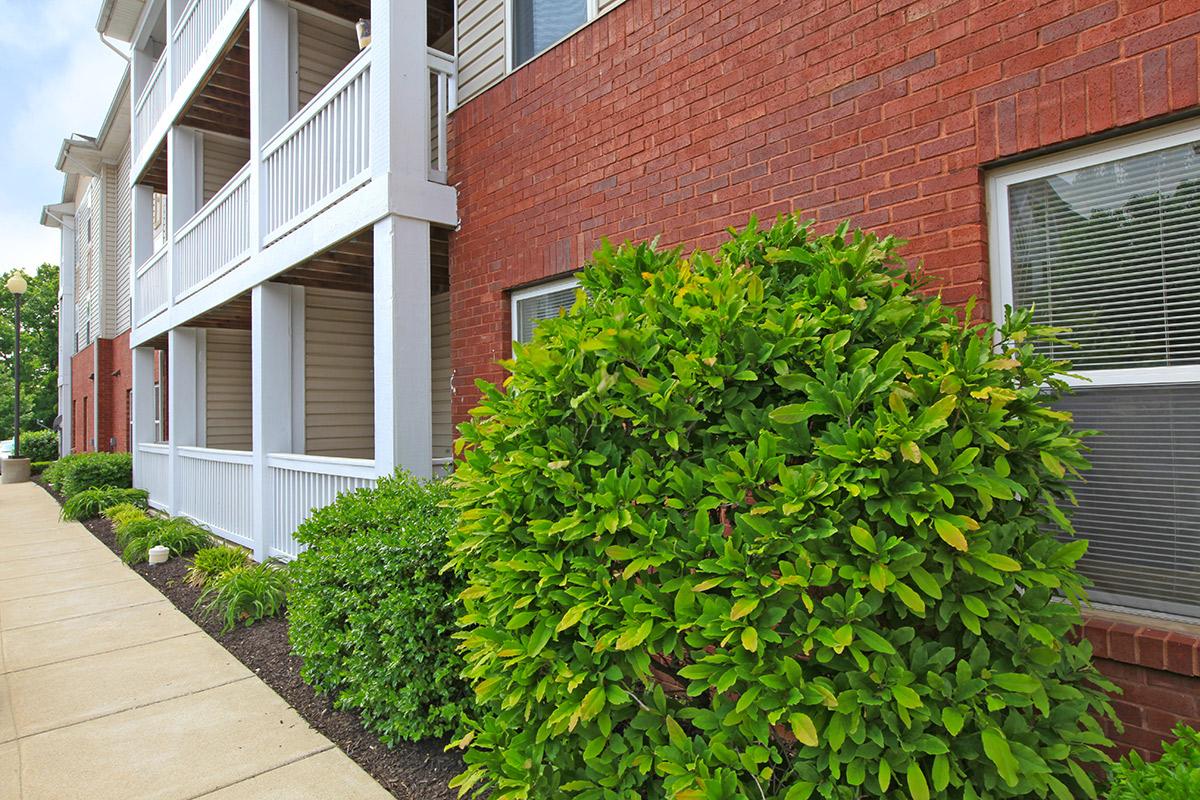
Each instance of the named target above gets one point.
<point>217,490</point>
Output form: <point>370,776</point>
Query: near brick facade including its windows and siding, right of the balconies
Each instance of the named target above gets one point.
<point>934,121</point>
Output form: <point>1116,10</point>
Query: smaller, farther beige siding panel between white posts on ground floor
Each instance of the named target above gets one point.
<point>227,410</point>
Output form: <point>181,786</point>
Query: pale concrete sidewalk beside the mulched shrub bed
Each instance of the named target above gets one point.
<point>109,691</point>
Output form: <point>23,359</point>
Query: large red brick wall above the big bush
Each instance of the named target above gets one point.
<point>685,117</point>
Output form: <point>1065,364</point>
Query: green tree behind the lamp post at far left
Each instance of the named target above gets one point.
<point>39,352</point>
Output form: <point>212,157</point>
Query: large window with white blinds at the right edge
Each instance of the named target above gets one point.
<point>1106,242</point>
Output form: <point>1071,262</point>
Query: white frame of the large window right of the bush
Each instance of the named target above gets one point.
<point>1000,251</point>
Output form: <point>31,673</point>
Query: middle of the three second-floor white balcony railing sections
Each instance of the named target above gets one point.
<point>217,239</point>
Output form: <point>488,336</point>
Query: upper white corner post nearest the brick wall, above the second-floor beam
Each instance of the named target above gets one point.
<point>400,93</point>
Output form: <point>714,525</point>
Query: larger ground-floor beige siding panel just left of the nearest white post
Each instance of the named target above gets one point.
<point>339,374</point>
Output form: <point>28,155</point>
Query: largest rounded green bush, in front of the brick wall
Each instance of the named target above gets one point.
<point>773,525</point>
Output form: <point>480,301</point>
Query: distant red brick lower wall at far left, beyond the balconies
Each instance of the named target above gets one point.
<point>104,372</point>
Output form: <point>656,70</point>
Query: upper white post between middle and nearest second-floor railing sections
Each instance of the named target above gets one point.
<point>271,105</point>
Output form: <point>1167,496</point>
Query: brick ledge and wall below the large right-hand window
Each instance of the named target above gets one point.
<point>1157,666</point>
